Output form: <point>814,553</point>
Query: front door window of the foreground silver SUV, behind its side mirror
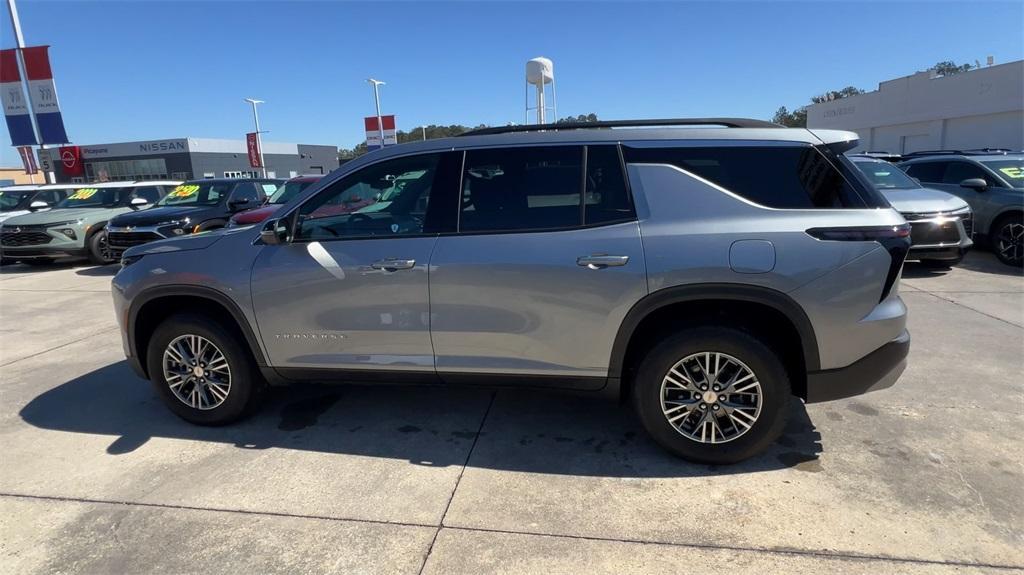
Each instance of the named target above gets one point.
<point>385,200</point>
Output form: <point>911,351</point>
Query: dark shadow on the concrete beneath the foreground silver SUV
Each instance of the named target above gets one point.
<point>525,431</point>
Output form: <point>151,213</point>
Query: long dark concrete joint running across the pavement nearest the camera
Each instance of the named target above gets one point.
<point>703,547</point>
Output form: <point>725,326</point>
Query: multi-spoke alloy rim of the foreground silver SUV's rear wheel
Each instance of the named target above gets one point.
<point>711,397</point>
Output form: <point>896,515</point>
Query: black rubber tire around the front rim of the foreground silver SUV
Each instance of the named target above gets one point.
<point>246,383</point>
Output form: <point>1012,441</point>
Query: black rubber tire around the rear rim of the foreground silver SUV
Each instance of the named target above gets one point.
<point>769,370</point>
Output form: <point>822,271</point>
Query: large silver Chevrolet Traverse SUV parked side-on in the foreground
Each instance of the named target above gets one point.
<point>706,274</point>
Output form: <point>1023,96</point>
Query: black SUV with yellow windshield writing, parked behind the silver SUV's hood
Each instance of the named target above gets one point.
<point>191,208</point>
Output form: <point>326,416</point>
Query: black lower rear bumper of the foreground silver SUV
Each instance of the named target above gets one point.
<point>877,371</point>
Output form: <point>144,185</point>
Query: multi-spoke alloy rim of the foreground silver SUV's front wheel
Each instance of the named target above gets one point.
<point>197,372</point>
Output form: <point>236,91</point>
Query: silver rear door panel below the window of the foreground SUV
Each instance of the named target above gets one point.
<point>522,304</point>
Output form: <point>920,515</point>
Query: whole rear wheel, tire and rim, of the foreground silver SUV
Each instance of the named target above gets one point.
<point>712,395</point>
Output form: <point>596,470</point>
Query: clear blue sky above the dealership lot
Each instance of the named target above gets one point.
<point>129,71</point>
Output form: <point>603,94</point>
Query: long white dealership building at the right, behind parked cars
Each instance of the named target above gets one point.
<point>984,108</point>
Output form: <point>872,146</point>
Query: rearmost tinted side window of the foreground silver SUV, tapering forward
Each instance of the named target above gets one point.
<point>784,178</point>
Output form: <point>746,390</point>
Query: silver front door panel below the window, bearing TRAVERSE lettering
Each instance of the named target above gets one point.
<point>349,304</point>
